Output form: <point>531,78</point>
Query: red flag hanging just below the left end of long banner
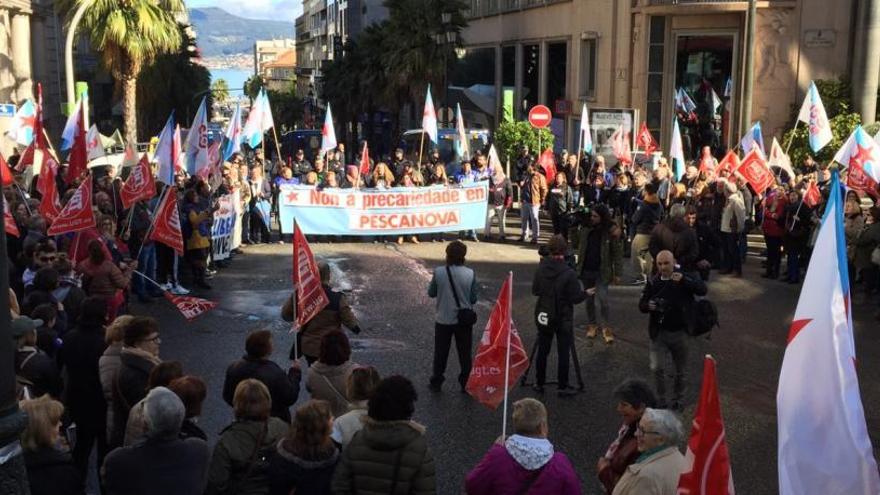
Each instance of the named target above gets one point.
<point>310,295</point>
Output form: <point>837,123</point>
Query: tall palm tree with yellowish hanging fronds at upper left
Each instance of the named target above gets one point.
<point>129,34</point>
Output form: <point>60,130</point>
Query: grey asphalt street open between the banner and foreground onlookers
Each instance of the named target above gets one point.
<point>387,285</point>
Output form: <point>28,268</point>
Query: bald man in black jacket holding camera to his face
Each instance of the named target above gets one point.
<point>669,298</point>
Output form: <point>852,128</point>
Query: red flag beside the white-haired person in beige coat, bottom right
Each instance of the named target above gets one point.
<point>709,472</point>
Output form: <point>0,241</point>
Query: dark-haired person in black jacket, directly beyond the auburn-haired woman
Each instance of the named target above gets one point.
<point>283,387</point>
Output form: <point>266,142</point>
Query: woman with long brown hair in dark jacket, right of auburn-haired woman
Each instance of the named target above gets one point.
<point>305,459</point>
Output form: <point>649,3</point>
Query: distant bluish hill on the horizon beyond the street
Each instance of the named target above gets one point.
<point>221,33</point>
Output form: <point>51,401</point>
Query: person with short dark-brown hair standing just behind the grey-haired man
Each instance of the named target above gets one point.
<point>140,354</point>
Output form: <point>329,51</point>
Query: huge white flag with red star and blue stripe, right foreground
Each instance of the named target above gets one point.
<point>823,439</point>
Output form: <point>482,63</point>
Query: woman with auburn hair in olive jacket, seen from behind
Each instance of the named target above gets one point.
<point>236,466</point>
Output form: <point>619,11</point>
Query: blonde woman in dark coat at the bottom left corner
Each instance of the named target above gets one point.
<point>49,464</point>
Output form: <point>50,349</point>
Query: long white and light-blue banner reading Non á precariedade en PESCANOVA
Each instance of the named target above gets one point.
<point>395,211</point>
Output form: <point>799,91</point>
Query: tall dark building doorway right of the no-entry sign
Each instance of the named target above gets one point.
<point>704,72</point>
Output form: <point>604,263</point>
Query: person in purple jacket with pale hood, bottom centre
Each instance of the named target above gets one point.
<point>525,463</point>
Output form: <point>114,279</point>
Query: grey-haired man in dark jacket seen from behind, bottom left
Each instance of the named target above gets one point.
<point>163,463</point>
